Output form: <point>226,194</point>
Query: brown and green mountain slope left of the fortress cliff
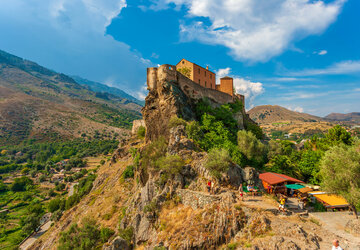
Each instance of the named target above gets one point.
<point>41,104</point>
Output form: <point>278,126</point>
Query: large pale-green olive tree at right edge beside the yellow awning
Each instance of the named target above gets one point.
<point>340,173</point>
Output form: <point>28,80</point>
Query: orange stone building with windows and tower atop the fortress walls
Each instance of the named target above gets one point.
<point>206,78</point>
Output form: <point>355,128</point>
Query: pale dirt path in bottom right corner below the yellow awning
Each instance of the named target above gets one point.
<point>335,222</point>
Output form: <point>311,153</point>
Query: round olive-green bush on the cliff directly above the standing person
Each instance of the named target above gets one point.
<point>217,162</point>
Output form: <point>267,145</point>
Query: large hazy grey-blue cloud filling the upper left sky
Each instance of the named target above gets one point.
<point>69,36</point>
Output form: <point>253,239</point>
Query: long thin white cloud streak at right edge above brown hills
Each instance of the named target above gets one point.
<point>344,67</point>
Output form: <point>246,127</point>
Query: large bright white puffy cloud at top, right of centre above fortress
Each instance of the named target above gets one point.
<point>256,30</point>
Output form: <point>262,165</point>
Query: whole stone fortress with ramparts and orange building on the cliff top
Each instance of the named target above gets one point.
<point>195,81</point>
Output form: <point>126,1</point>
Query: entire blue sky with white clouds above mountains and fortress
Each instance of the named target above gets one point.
<point>300,54</point>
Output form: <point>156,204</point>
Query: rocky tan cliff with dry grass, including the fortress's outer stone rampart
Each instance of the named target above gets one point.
<point>153,194</point>
